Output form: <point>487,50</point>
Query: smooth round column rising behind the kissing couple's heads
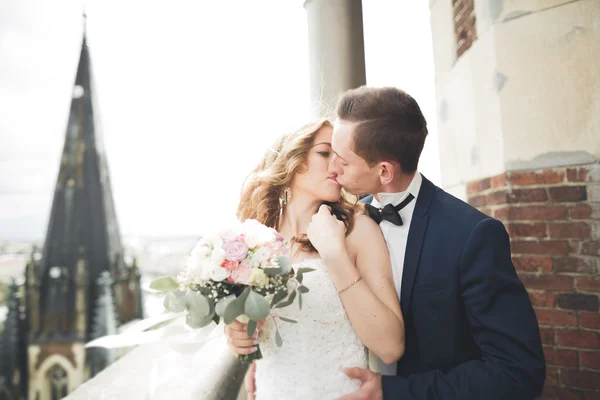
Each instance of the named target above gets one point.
<point>336,51</point>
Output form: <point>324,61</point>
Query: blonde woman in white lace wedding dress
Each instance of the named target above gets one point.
<point>352,305</point>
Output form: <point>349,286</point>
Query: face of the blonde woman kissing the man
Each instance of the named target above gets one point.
<point>315,179</point>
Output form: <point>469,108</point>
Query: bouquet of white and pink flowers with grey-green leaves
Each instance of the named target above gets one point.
<point>241,273</point>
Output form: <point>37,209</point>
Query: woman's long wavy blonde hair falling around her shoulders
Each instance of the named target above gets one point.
<point>266,185</point>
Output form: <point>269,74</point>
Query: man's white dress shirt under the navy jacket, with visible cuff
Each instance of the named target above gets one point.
<point>396,238</point>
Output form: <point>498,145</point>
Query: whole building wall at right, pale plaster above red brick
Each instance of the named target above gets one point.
<point>517,88</point>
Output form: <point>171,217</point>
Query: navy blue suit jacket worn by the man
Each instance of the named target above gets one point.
<point>471,332</point>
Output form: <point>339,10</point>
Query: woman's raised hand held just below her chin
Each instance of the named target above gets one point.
<point>326,232</point>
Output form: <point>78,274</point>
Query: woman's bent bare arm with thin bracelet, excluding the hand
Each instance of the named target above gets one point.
<point>371,303</point>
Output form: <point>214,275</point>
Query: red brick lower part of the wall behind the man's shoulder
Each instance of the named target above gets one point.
<point>553,218</point>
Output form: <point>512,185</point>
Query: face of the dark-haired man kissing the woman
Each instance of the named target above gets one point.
<point>353,172</point>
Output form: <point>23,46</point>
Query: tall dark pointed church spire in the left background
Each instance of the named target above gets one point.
<point>82,215</point>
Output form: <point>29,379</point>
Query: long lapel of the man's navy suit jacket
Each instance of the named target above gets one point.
<point>416,234</point>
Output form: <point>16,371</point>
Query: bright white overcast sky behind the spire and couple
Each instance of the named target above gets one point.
<point>190,95</point>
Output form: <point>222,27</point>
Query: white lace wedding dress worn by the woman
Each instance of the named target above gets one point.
<point>310,363</point>
